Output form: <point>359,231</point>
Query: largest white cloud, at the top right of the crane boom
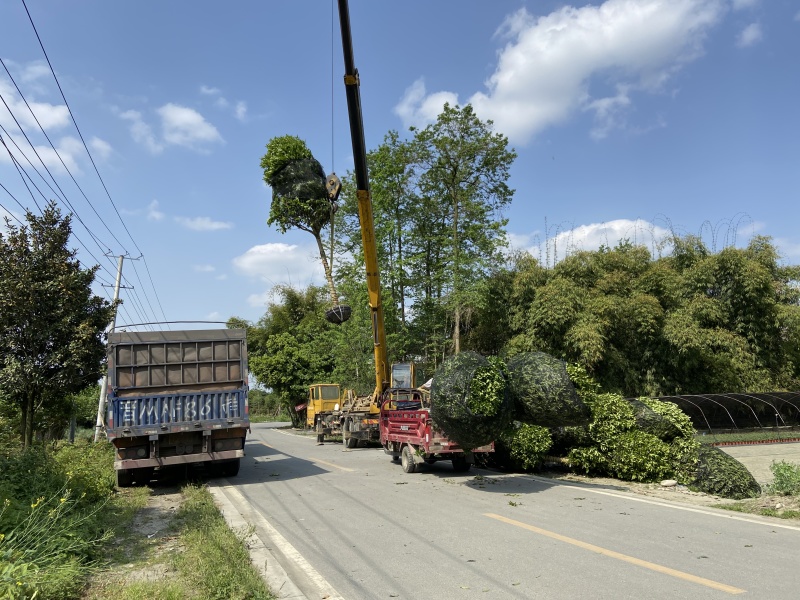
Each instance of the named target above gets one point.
<point>546,71</point>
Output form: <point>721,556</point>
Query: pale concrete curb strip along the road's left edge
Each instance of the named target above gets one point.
<point>268,548</point>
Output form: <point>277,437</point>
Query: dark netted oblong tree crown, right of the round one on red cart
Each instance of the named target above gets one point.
<point>542,392</point>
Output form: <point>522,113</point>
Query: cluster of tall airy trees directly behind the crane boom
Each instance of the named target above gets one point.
<point>438,200</point>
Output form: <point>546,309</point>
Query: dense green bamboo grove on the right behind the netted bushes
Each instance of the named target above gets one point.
<point>690,322</point>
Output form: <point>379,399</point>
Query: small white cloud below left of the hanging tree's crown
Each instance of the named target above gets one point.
<point>279,263</point>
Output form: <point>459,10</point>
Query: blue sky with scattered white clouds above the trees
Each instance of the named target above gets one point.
<point>629,117</point>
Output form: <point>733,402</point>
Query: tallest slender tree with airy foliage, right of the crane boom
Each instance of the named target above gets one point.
<point>463,172</point>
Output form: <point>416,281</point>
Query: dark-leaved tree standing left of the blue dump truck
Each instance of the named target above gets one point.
<point>51,324</point>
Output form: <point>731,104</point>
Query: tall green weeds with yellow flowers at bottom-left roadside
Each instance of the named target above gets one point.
<point>58,511</point>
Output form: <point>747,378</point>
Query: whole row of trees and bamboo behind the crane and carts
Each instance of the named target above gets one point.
<point>688,321</point>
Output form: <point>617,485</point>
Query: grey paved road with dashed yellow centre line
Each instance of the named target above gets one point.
<point>350,524</point>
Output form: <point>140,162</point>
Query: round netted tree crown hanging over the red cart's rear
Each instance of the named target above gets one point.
<point>470,401</point>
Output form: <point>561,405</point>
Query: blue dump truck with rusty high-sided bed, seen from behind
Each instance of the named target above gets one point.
<point>177,398</point>
